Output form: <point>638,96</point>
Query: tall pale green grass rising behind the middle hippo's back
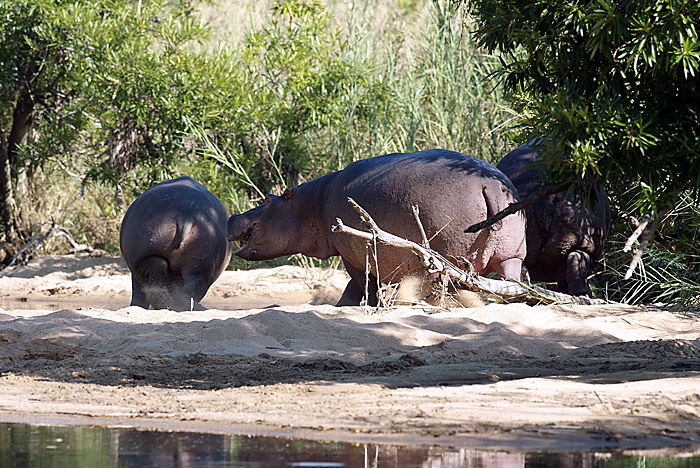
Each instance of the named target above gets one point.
<point>438,82</point>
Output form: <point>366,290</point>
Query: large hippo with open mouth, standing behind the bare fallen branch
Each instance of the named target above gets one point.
<point>449,188</point>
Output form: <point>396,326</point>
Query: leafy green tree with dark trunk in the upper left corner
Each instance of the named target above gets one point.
<point>94,86</point>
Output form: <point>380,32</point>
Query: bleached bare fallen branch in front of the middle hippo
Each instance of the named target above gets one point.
<point>436,263</point>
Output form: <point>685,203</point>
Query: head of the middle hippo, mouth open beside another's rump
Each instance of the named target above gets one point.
<point>269,230</point>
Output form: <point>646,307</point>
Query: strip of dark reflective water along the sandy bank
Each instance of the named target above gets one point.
<point>23,445</point>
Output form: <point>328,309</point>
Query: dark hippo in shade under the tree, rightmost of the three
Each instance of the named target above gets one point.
<point>565,236</point>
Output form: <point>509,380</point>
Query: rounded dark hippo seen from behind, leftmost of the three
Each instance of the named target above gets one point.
<point>173,239</point>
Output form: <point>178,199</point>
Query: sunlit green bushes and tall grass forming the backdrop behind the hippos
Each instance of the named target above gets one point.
<point>250,97</point>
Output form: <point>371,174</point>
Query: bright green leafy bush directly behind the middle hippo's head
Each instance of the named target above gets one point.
<point>293,83</point>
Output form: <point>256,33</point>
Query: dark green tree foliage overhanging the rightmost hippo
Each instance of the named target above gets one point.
<point>615,86</point>
